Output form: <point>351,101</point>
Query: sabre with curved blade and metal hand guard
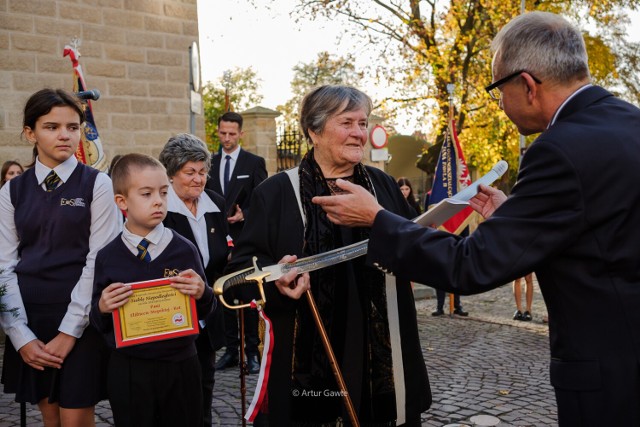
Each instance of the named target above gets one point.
<point>271,273</point>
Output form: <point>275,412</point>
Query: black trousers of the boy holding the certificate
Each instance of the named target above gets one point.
<point>152,393</point>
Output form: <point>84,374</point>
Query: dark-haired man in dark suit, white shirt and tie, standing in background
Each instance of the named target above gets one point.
<point>235,173</point>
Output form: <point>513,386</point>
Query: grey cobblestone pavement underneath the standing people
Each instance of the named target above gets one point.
<point>485,364</point>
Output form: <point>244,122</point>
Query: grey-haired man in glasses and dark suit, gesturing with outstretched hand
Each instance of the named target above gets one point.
<point>573,217</point>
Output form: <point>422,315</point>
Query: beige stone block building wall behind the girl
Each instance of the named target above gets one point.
<point>136,52</point>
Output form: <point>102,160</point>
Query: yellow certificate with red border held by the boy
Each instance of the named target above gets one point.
<point>155,311</point>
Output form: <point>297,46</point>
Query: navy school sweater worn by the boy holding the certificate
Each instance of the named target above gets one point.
<point>116,263</point>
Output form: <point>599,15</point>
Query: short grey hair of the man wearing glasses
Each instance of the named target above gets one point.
<point>544,44</point>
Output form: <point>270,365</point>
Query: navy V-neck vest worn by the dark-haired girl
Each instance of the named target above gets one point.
<point>53,229</point>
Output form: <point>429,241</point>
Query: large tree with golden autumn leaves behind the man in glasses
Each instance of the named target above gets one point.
<point>425,45</point>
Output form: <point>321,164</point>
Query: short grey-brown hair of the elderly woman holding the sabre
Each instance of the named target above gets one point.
<point>326,101</point>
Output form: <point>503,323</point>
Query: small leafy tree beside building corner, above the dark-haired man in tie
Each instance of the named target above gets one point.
<point>241,86</point>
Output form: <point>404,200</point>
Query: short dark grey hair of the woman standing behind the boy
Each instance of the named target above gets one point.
<point>183,148</point>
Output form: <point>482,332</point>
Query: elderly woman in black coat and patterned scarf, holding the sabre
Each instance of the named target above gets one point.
<point>370,317</point>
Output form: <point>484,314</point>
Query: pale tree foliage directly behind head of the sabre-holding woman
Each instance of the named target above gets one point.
<point>326,69</point>
